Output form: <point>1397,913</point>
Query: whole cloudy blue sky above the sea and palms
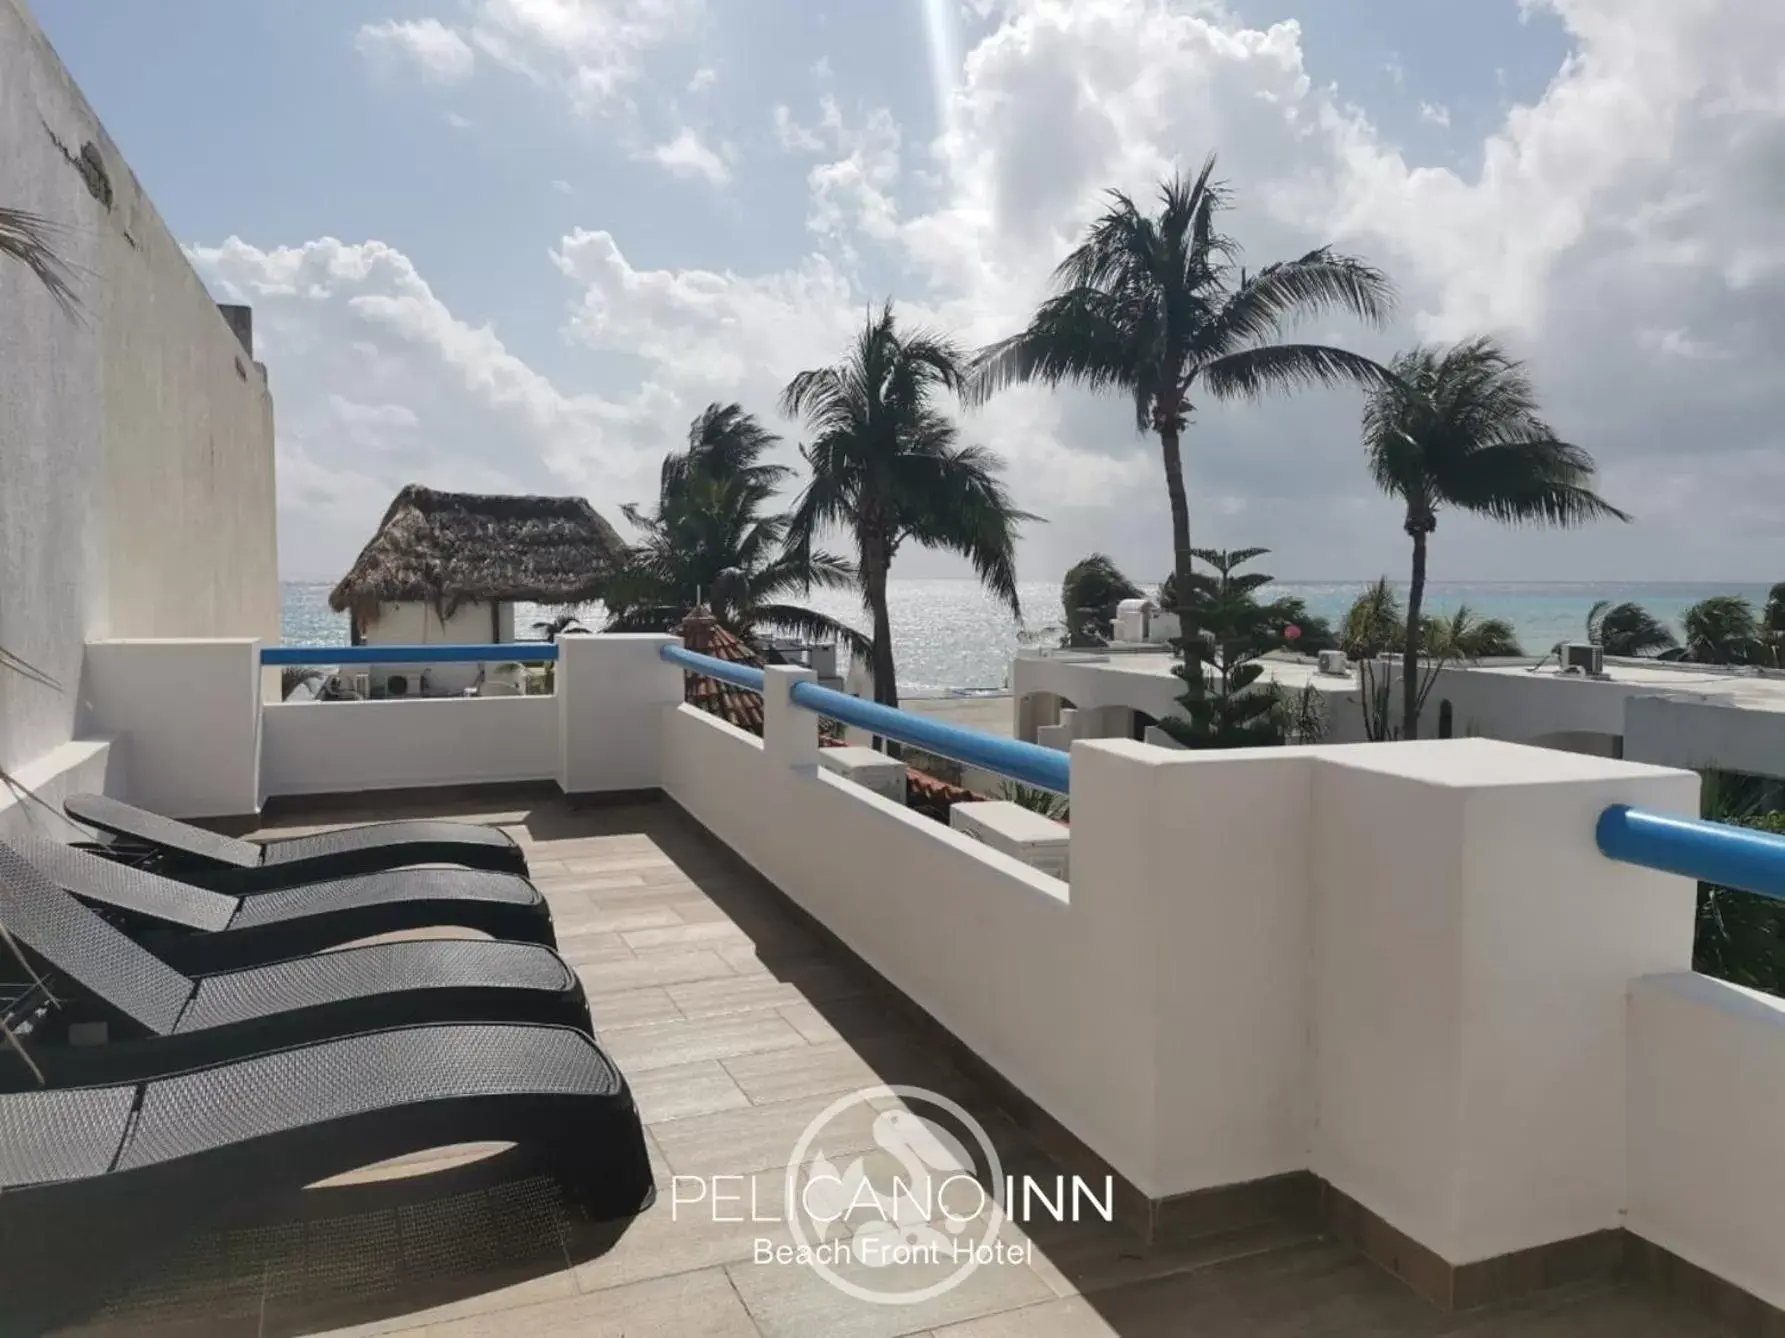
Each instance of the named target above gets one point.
<point>519,244</point>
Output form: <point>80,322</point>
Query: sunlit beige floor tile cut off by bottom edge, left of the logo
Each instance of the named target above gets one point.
<point>699,1305</point>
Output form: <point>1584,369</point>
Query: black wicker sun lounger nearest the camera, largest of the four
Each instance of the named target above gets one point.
<point>90,1175</point>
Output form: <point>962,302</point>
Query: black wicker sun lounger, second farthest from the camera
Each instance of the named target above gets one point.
<point>203,930</point>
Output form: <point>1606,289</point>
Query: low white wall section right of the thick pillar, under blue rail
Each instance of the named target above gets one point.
<point>1707,1080</point>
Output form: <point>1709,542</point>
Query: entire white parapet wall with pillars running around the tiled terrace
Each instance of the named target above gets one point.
<point>1404,968</point>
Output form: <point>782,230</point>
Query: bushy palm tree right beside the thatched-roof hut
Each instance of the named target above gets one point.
<point>710,543</point>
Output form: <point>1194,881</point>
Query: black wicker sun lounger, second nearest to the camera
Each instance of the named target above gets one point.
<point>163,1021</point>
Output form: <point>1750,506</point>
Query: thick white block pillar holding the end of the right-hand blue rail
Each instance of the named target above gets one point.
<point>1472,954</point>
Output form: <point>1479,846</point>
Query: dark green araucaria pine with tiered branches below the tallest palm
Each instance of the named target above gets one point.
<point>1233,631</point>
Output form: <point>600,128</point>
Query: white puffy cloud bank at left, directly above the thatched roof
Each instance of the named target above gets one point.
<point>379,384</point>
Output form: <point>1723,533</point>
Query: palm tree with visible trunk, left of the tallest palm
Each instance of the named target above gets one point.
<point>888,468</point>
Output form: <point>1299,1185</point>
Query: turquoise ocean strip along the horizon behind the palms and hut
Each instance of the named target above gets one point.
<point>949,636</point>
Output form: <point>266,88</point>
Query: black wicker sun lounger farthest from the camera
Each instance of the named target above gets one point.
<point>247,866</point>
